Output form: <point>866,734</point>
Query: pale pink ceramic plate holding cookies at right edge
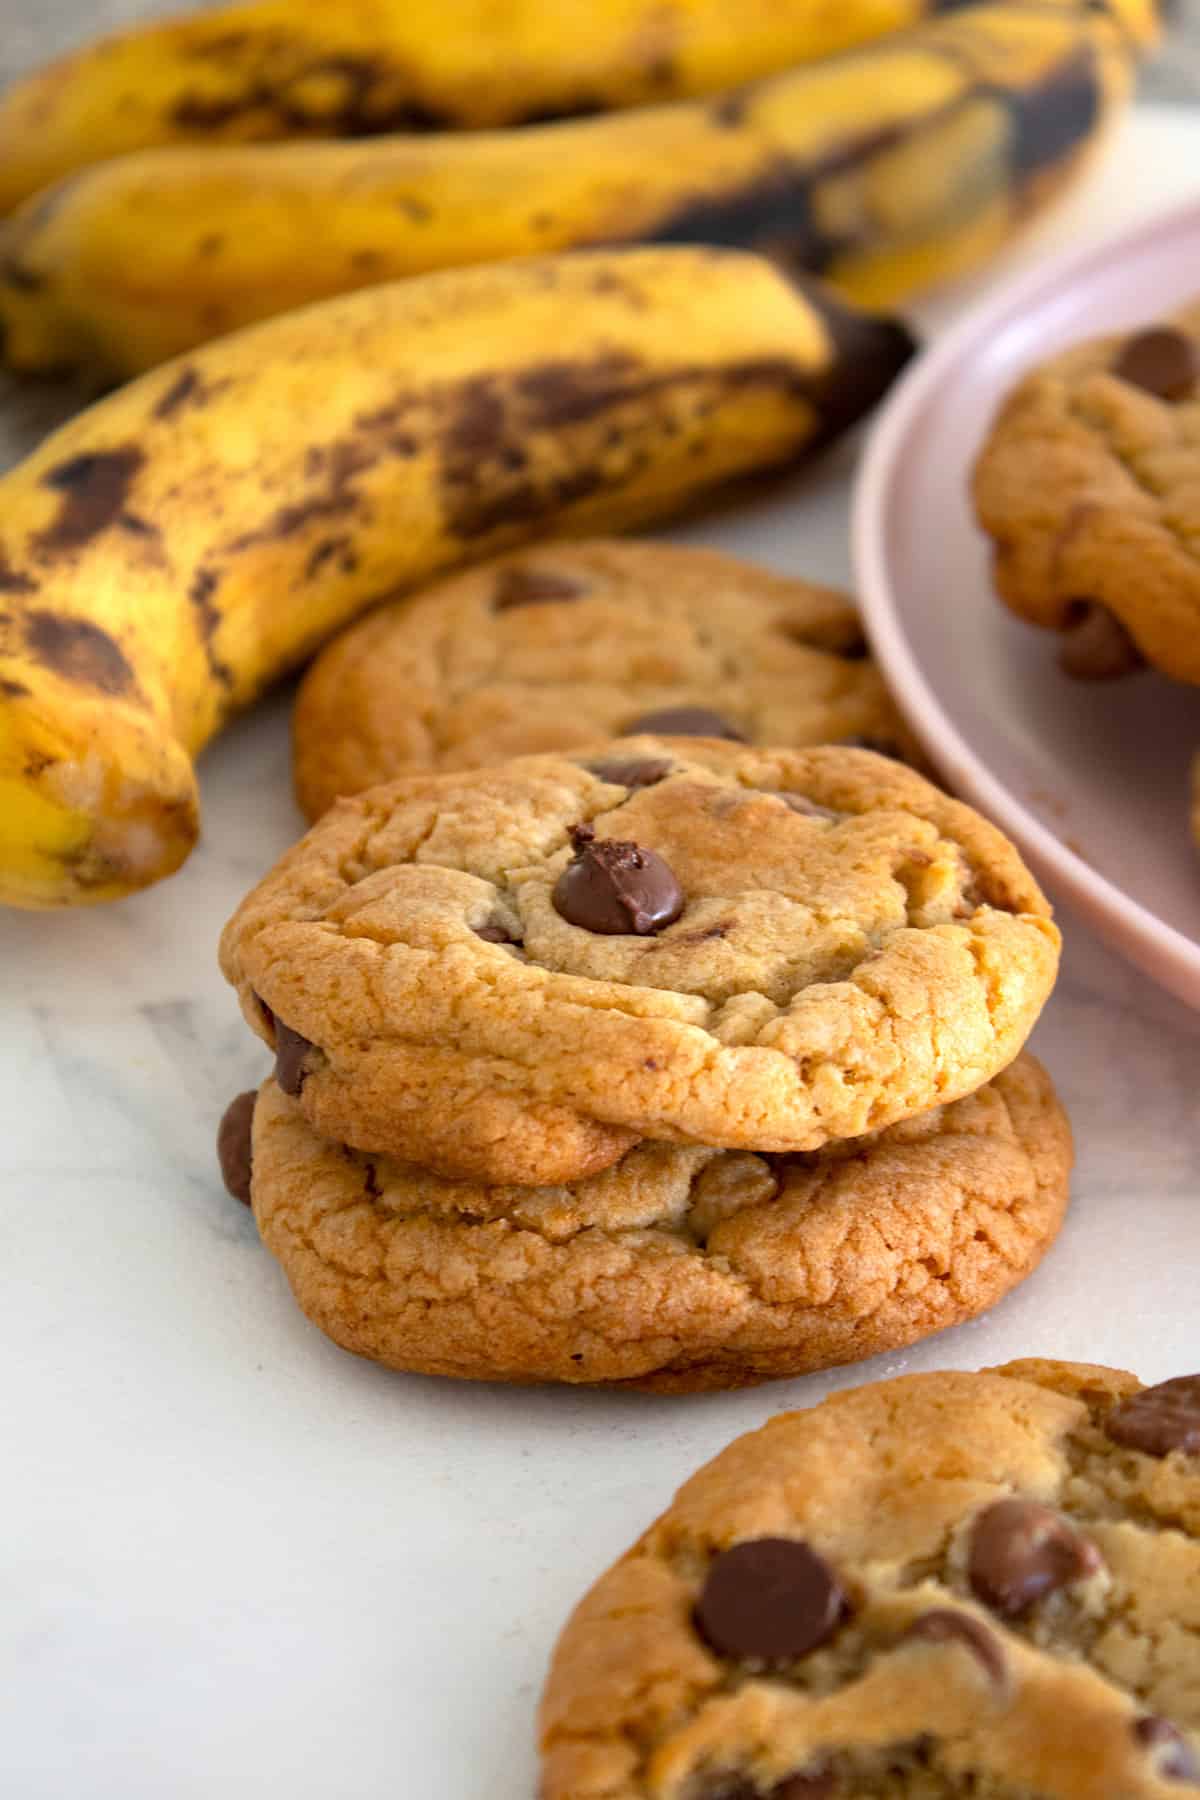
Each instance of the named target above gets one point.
<point>1091,780</point>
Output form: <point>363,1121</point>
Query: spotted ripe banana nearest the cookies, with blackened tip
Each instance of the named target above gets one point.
<point>181,546</point>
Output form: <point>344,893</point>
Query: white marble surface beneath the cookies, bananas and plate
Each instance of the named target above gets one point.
<point>238,1561</point>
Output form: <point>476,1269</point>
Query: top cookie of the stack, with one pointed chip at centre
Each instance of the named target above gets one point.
<point>515,973</point>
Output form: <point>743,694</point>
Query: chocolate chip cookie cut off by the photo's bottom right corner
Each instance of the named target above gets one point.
<point>936,1587</point>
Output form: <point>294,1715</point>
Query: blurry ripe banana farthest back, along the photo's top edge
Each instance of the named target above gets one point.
<point>280,69</point>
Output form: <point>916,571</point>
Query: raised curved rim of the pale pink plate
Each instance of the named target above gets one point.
<point>1115,912</point>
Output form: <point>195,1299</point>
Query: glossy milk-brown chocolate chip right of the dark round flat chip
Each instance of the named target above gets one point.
<point>1023,1551</point>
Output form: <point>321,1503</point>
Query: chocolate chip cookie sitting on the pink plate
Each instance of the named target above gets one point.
<point>1089,487</point>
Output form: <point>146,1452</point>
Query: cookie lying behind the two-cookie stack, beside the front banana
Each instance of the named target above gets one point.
<point>571,643</point>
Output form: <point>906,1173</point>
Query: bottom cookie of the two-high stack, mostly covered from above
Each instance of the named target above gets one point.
<point>677,1268</point>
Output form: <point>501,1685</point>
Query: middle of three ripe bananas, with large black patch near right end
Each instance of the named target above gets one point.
<point>884,170</point>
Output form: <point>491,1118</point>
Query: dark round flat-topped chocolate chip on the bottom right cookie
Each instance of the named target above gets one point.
<point>771,1599</point>
